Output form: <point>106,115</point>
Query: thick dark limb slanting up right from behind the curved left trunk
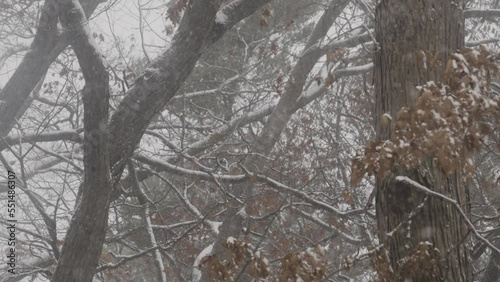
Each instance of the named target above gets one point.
<point>166,74</point>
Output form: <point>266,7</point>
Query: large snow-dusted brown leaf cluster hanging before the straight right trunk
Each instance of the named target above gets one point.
<point>446,123</point>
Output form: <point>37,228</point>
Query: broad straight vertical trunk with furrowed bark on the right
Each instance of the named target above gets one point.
<point>403,29</point>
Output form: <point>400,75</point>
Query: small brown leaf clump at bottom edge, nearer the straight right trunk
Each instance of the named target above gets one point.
<point>309,265</point>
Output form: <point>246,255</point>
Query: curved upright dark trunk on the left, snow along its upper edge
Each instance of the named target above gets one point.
<point>83,242</point>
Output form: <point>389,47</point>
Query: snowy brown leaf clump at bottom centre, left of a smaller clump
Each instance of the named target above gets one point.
<point>239,253</point>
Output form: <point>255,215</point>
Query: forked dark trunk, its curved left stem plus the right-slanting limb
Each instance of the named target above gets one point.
<point>151,92</point>
